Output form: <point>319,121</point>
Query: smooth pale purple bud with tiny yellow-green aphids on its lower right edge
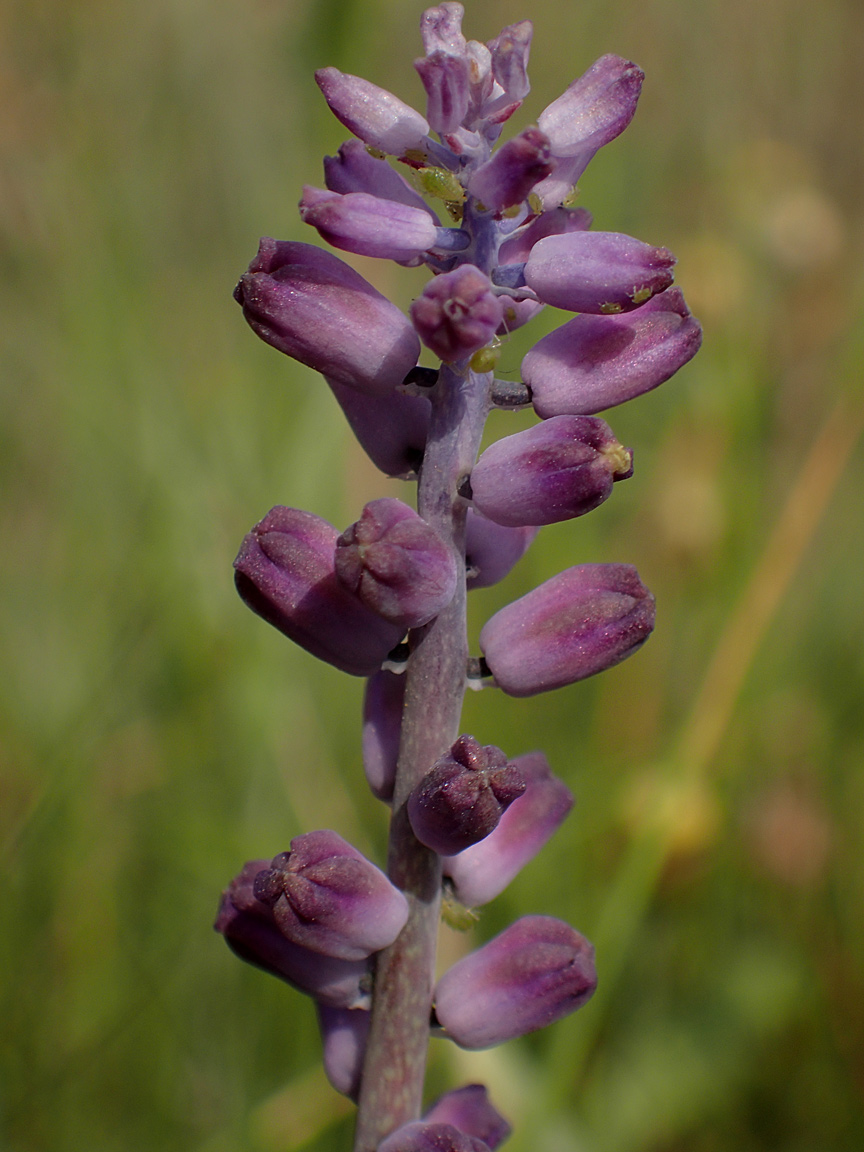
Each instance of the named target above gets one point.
<point>603,272</point>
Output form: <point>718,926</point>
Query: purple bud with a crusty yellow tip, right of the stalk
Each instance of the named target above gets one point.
<point>559,469</point>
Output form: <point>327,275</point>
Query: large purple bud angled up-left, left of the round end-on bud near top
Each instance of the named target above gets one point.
<point>315,308</point>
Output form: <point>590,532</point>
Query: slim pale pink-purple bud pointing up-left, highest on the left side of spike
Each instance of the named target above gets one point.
<point>375,116</point>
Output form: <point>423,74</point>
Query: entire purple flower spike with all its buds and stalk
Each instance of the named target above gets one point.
<point>386,598</point>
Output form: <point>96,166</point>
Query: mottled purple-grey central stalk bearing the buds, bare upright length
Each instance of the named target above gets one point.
<point>395,1067</point>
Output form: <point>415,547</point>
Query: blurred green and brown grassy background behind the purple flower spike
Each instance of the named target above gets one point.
<point>156,734</point>
